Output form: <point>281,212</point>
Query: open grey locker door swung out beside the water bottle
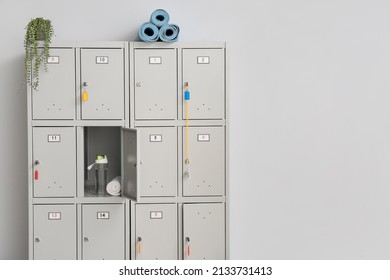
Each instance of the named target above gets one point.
<point>130,163</point>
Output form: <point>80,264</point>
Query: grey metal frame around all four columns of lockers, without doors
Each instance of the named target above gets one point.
<point>129,121</point>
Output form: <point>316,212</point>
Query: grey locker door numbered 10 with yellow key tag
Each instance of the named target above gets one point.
<point>102,77</point>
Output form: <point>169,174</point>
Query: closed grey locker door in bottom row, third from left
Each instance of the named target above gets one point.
<point>156,232</point>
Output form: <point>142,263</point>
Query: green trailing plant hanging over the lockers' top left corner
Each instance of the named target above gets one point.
<point>38,30</point>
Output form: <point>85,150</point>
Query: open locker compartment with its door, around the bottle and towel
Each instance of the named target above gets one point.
<point>121,147</point>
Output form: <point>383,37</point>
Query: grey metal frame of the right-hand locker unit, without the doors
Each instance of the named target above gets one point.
<point>179,123</point>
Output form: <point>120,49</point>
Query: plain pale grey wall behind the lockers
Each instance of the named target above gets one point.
<point>310,116</point>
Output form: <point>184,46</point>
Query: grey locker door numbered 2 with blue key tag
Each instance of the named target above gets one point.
<point>204,69</point>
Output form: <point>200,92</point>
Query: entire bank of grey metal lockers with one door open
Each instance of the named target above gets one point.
<point>126,100</point>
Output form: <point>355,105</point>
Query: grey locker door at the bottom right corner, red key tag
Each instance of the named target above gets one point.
<point>204,231</point>
